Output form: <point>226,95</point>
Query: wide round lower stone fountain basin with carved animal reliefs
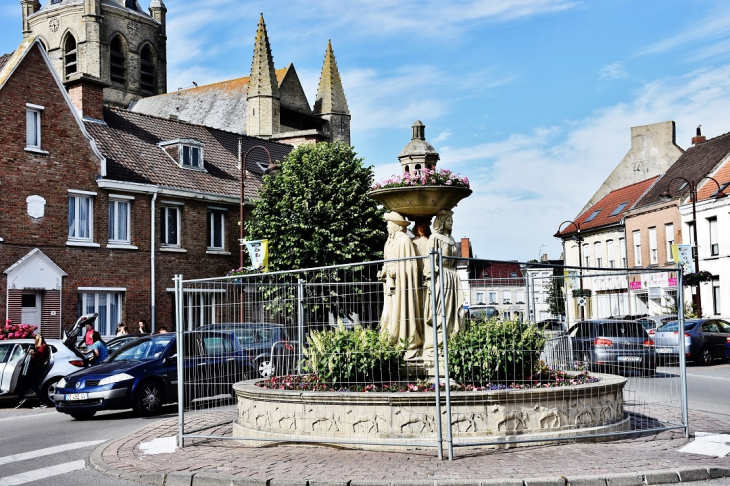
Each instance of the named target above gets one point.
<point>383,420</point>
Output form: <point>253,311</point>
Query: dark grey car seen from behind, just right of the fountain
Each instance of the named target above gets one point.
<point>622,347</point>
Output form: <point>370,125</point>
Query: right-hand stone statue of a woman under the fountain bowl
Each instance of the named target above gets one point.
<point>453,298</point>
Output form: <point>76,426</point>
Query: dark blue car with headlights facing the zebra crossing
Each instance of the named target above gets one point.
<point>142,374</point>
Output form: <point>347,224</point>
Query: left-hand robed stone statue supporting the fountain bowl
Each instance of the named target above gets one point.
<point>402,316</point>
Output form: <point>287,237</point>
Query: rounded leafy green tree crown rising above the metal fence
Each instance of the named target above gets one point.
<point>316,211</point>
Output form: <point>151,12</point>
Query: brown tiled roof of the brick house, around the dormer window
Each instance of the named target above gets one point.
<point>129,143</point>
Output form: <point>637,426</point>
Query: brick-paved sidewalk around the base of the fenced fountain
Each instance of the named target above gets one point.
<point>639,460</point>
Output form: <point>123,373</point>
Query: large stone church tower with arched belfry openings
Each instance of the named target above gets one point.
<point>112,44</point>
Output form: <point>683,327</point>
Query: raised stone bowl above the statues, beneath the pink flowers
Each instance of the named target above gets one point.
<point>419,201</point>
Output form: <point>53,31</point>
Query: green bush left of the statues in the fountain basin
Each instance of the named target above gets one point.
<point>360,355</point>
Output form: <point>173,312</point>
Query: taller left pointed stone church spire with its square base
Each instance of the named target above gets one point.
<point>263,97</point>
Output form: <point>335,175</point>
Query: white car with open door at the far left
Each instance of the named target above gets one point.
<point>13,356</point>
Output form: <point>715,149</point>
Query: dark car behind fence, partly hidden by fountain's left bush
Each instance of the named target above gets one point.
<point>269,345</point>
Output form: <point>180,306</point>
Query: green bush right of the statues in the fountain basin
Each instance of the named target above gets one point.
<point>495,350</point>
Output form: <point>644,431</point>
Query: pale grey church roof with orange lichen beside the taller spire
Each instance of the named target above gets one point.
<point>218,105</point>
